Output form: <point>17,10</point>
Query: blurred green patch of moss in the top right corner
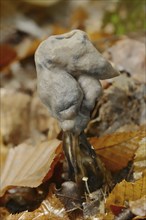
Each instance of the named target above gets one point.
<point>133,20</point>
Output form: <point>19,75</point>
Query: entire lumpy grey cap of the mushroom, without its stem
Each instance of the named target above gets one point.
<point>68,70</point>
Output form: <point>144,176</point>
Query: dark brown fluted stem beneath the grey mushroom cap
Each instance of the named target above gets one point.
<point>83,163</point>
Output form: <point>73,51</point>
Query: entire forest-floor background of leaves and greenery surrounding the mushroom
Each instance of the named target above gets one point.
<point>34,180</point>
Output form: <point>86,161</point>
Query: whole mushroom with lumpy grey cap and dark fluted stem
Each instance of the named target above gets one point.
<point>68,72</point>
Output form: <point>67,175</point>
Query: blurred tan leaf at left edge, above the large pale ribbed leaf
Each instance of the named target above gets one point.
<point>14,116</point>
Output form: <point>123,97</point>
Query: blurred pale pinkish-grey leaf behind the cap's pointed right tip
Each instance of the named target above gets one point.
<point>131,57</point>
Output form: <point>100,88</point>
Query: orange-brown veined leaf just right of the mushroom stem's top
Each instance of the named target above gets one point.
<point>116,150</point>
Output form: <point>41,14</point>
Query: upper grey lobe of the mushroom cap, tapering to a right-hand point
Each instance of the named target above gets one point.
<point>75,53</point>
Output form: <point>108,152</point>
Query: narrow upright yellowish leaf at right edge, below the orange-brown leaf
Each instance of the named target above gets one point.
<point>140,160</point>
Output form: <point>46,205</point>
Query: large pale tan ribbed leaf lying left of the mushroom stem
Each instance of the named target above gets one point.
<point>27,165</point>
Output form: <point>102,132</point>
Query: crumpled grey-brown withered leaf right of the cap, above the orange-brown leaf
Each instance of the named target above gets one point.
<point>122,103</point>
